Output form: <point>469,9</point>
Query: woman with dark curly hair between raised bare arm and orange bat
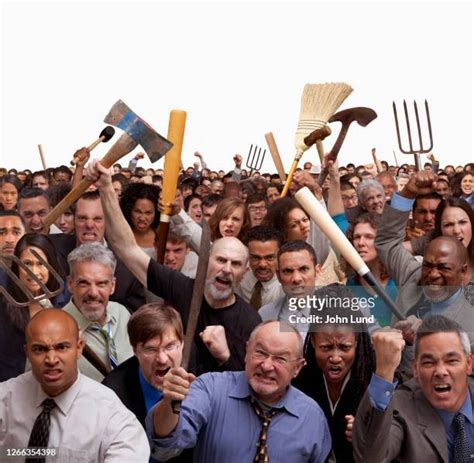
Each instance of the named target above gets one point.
<point>139,203</point>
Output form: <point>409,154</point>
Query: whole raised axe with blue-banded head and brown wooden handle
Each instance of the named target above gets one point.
<point>136,132</point>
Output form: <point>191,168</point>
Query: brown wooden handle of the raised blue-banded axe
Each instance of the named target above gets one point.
<point>121,147</point>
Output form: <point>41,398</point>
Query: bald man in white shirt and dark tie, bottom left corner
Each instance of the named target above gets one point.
<point>87,421</point>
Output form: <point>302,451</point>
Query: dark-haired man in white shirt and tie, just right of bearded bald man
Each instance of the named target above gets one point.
<point>261,285</point>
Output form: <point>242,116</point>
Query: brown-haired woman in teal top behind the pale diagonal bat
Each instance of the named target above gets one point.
<point>361,233</point>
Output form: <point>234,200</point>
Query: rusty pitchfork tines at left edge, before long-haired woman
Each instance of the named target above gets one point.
<point>47,294</point>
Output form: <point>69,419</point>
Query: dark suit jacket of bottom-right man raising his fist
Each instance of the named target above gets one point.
<point>409,430</point>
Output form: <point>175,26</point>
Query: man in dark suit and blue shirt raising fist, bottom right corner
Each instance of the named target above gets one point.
<point>428,419</point>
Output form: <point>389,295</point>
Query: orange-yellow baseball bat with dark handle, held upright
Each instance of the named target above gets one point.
<point>176,126</point>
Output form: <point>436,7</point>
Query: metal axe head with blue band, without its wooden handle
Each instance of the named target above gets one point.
<point>121,116</point>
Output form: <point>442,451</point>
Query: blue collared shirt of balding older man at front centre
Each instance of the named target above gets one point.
<point>219,420</point>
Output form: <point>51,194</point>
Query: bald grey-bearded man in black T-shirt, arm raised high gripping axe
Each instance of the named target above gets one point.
<point>225,320</point>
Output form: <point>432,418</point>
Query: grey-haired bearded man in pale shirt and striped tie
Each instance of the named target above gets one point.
<point>103,322</point>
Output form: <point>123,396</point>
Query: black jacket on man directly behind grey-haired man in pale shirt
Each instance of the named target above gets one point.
<point>128,290</point>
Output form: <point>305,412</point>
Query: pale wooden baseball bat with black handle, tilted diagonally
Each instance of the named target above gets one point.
<point>340,242</point>
